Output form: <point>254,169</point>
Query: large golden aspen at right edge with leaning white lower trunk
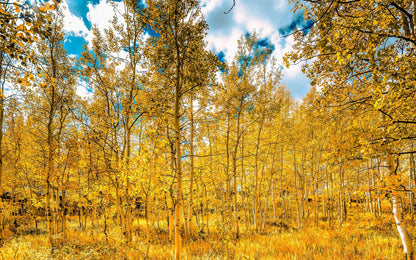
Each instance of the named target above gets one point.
<point>364,53</point>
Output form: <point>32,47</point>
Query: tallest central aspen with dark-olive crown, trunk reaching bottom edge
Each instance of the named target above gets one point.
<point>179,36</point>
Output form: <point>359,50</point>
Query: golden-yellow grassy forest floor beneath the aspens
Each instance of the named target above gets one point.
<point>362,237</point>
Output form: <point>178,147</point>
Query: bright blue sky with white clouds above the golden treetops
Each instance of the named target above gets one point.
<point>269,18</point>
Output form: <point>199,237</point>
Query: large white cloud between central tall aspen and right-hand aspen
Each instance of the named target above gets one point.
<point>265,17</point>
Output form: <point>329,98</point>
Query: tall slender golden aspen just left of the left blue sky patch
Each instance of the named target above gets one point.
<point>49,100</point>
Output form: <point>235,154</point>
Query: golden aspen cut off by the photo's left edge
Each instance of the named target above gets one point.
<point>19,25</point>
